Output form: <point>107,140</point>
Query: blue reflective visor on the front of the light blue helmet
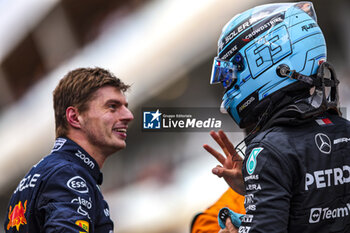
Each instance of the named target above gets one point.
<point>223,72</point>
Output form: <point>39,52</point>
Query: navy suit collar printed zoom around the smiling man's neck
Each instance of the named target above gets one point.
<point>75,153</point>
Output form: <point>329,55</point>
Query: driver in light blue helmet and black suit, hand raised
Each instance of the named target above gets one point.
<point>296,168</point>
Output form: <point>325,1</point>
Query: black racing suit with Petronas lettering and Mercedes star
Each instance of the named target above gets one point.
<point>297,178</point>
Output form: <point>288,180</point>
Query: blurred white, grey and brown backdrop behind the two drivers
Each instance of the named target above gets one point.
<point>164,48</point>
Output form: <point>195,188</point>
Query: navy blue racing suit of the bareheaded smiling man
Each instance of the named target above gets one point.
<point>60,194</point>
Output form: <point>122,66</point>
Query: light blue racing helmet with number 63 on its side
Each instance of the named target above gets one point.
<point>257,46</point>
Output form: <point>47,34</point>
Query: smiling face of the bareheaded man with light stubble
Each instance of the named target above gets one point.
<point>106,121</point>
